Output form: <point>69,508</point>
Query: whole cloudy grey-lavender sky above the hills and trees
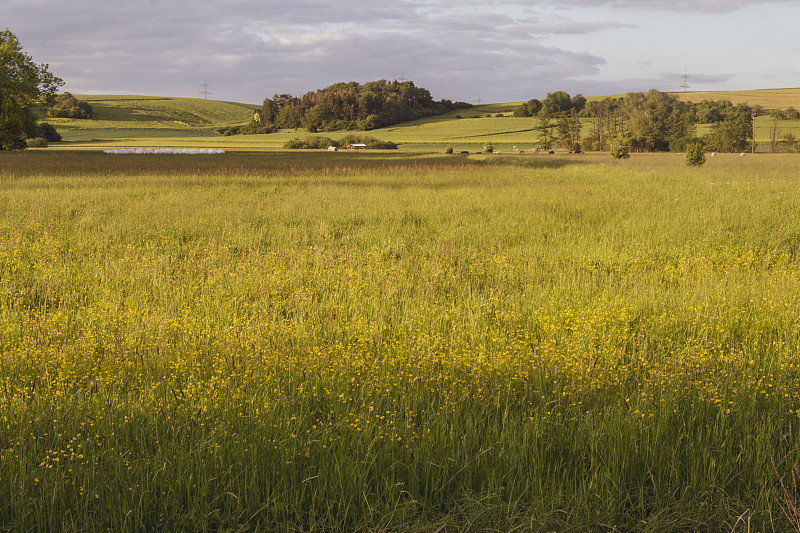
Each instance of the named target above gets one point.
<point>470,50</point>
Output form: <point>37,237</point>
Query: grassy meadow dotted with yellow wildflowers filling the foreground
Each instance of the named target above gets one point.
<point>399,342</point>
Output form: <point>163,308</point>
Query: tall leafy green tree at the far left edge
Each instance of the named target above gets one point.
<point>23,85</point>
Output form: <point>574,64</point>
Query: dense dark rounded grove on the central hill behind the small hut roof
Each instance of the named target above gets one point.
<point>348,106</point>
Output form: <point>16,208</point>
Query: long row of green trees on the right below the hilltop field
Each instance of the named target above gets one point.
<point>645,122</point>
